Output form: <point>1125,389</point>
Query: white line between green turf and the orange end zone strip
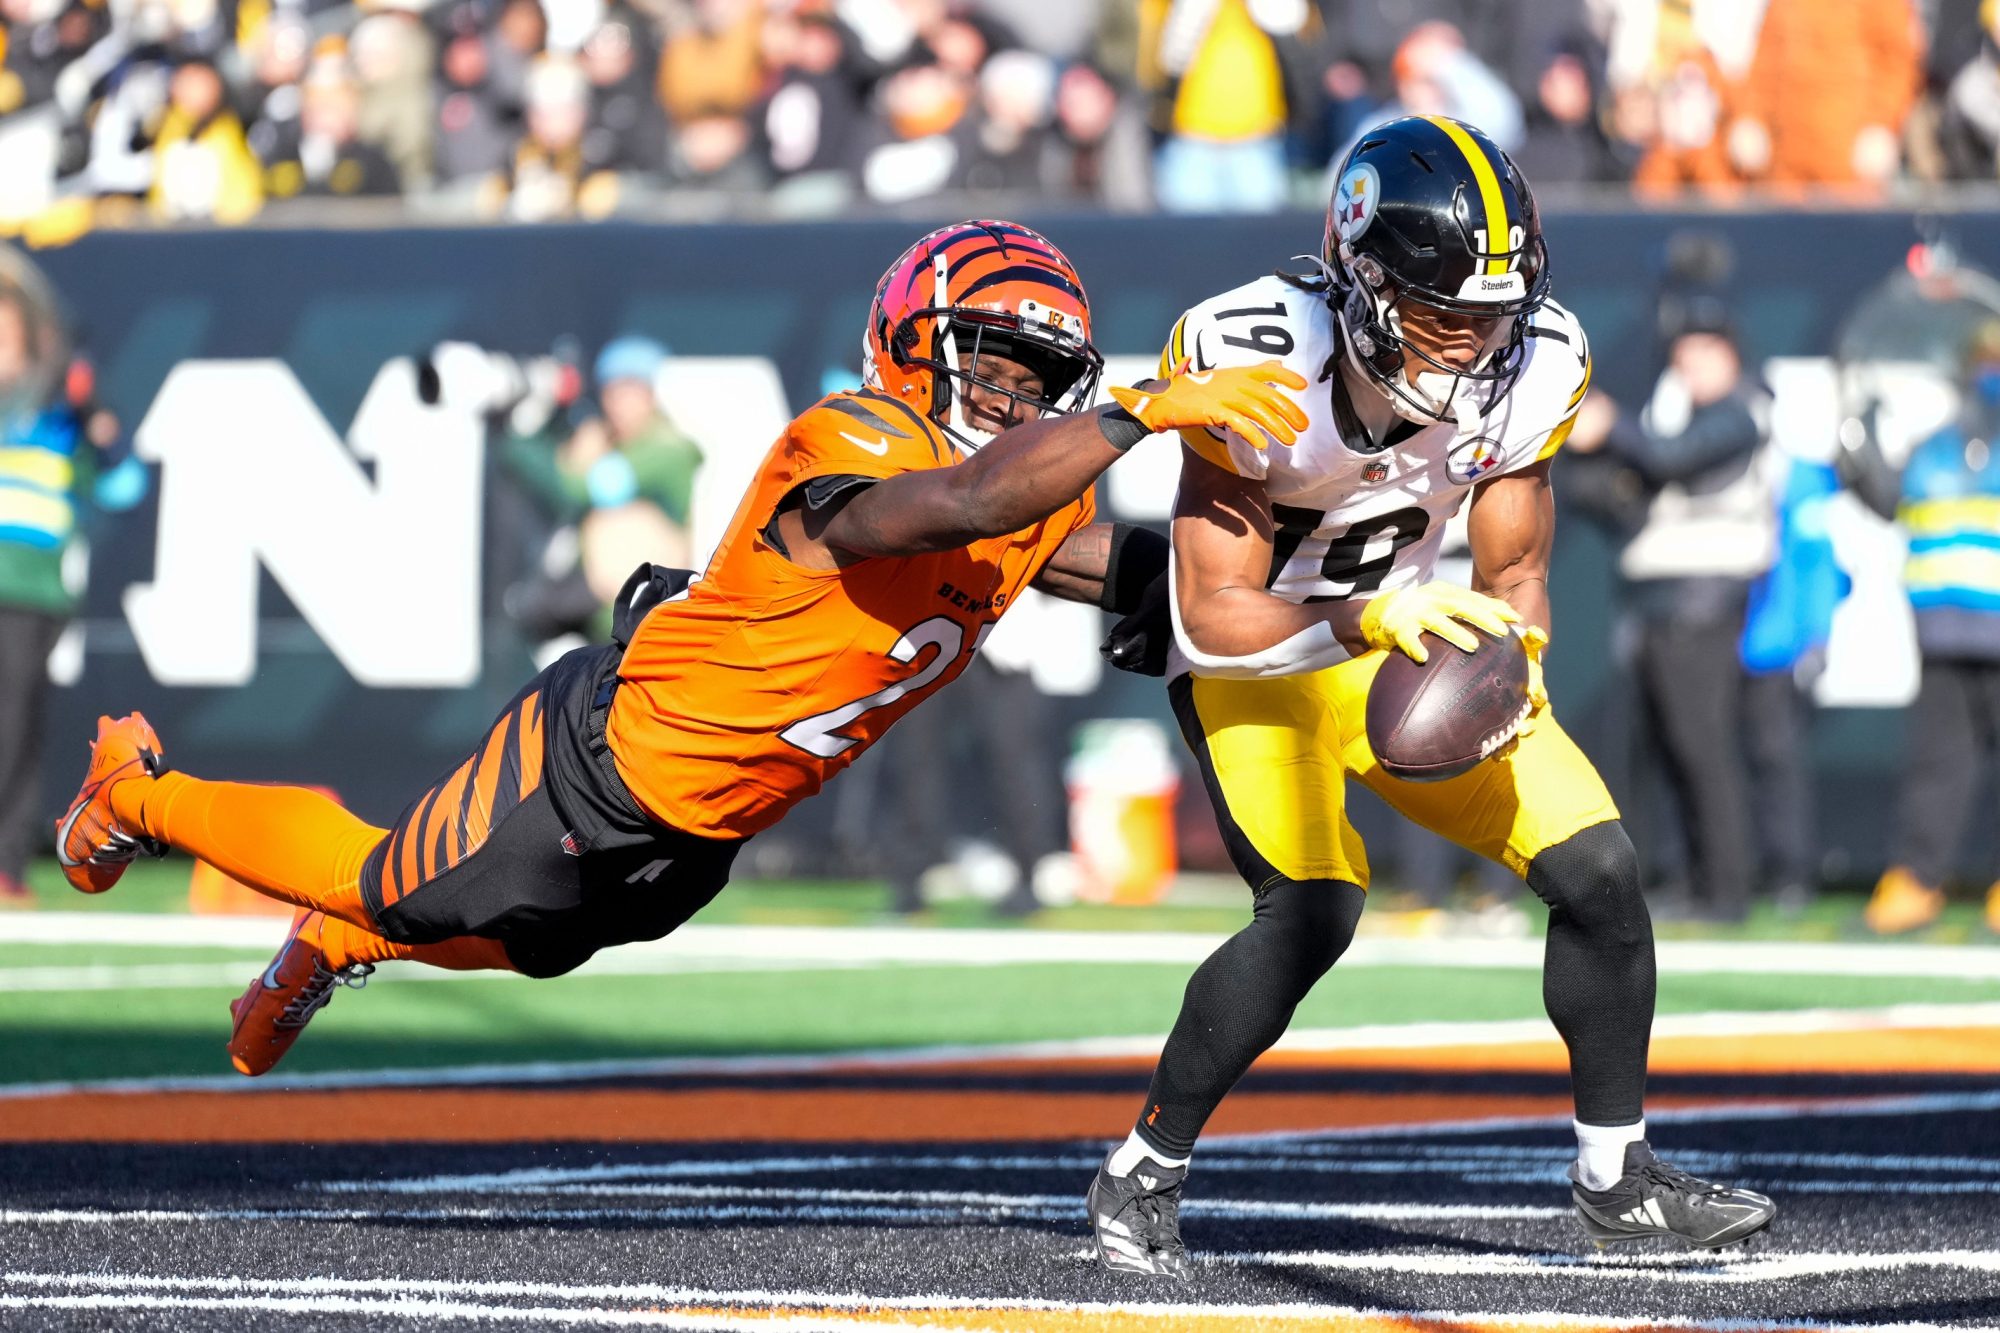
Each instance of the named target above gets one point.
<point>1367,1038</point>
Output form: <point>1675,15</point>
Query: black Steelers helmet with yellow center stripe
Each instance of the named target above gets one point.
<point>1433,223</point>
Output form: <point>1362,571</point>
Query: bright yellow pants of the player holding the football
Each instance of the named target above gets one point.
<point>1277,756</point>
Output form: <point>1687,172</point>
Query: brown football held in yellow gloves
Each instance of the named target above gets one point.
<point>1433,722</point>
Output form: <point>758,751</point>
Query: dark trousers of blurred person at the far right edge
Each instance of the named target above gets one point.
<point>1955,730</point>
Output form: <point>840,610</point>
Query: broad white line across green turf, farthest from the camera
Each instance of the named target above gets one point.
<point>795,946</point>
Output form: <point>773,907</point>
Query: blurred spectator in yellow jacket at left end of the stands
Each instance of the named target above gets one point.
<point>203,163</point>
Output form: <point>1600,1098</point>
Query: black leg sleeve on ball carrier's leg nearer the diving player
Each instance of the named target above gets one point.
<point>1241,1002</point>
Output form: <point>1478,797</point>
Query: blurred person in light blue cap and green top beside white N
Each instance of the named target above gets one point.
<point>621,487</point>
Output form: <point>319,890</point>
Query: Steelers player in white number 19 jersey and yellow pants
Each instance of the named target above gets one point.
<point>1441,373</point>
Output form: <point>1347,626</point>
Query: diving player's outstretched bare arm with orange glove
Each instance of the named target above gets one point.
<point>1035,469</point>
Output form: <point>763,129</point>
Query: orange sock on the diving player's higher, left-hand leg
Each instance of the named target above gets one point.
<point>283,842</point>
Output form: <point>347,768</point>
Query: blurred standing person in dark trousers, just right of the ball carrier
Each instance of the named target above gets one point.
<point>1707,535</point>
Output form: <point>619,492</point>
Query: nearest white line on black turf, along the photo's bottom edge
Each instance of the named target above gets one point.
<point>435,1300</point>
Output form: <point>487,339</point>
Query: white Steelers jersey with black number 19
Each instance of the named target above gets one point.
<point>1349,521</point>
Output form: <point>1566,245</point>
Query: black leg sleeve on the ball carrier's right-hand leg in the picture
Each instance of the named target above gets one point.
<point>1599,970</point>
